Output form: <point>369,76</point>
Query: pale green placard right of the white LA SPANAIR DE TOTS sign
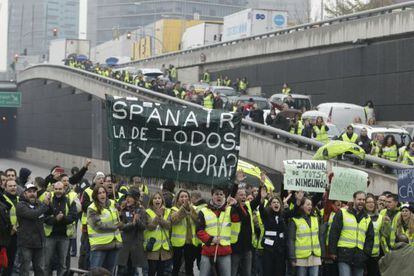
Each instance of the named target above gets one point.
<point>346,182</point>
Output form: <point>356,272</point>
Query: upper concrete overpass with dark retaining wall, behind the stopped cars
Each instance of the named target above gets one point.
<point>354,58</point>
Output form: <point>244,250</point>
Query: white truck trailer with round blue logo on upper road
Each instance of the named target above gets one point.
<point>251,22</point>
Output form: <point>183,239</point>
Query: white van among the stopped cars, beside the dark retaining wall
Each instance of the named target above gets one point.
<point>343,114</point>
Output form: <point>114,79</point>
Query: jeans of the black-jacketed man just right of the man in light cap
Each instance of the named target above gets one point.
<point>56,248</point>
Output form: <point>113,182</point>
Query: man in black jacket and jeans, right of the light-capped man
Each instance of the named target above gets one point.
<point>59,229</point>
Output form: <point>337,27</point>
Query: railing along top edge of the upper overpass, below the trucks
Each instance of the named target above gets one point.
<point>298,28</point>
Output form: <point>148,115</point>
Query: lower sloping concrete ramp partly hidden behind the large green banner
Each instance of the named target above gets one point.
<point>261,149</point>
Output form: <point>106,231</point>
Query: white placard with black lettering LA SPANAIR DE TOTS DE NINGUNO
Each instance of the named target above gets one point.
<point>305,175</point>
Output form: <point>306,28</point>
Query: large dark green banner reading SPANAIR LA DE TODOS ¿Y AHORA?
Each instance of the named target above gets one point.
<point>172,142</point>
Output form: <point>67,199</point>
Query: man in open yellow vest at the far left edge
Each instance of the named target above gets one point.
<point>10,195</point>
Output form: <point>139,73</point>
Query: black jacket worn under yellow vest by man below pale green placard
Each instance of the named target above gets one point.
<point>352,256</point>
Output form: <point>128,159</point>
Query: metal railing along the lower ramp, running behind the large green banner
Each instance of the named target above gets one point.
<point>160,97</point>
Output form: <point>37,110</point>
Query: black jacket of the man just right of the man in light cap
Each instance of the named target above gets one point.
<point>59,205</point>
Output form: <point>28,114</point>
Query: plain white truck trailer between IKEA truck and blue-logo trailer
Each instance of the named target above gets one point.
<point>201,34</point>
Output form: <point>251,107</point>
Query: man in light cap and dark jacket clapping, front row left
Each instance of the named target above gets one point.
<point>30,234</point>
